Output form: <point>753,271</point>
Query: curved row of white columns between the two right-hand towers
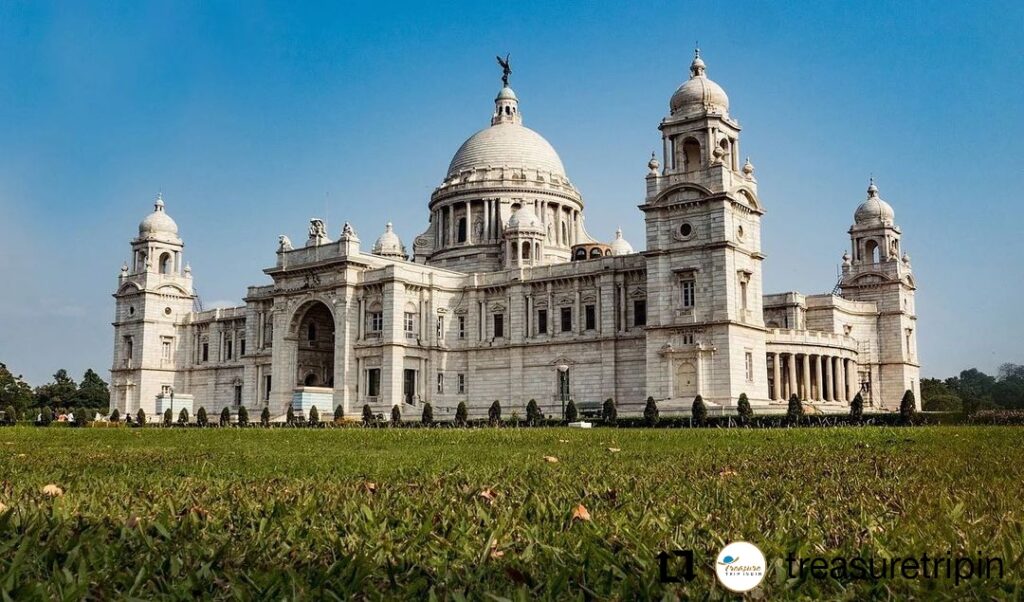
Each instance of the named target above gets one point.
<point>813,377</point>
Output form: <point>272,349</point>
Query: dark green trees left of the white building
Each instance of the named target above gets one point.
<point>92,394</point>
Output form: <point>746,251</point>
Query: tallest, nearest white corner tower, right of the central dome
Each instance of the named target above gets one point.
<point>705,328</point>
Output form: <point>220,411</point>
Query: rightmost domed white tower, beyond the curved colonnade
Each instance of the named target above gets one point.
<point>879,271</point>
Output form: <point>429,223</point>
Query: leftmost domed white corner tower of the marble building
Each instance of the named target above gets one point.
<point>155,294</point>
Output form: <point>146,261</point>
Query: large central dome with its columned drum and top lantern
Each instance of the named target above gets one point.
<point>498,170</point>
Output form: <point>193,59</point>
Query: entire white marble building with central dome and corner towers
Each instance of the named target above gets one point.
<point>506,296</point>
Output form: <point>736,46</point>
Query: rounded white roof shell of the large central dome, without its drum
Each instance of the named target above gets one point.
<point>506,145</point>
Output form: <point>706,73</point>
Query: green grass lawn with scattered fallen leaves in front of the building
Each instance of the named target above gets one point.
<point>268,514</point>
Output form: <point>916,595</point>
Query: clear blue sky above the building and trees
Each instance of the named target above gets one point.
<point>254,117</point>
